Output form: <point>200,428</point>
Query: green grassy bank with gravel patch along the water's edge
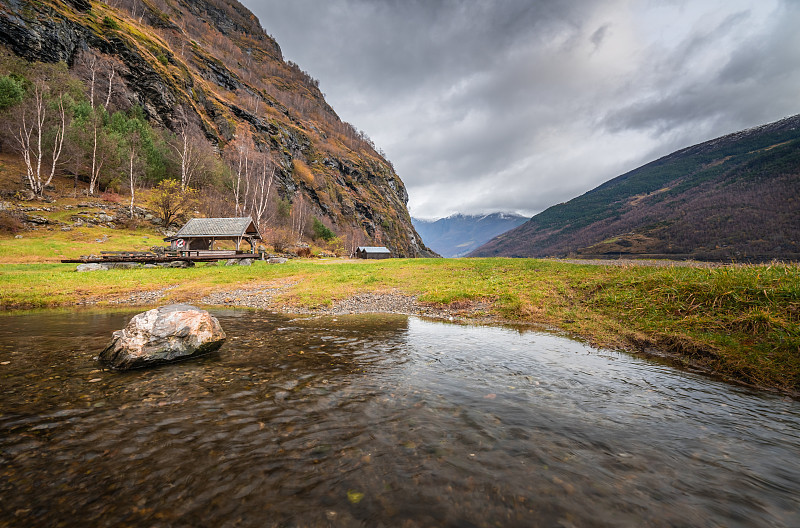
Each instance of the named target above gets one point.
<point>739,322</point>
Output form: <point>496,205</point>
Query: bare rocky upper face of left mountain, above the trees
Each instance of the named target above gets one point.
<point>208,66</point>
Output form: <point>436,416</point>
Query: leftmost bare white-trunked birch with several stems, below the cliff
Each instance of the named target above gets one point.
<point>32,135</point>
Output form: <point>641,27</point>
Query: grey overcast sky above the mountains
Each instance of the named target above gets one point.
<point>517,105</point>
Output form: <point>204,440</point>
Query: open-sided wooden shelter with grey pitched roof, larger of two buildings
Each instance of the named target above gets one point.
<point>200,234</point>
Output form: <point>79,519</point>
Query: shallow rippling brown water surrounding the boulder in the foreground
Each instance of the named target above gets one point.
<point>380,421</point>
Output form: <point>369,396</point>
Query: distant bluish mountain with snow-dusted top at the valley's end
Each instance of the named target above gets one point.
<point>457,235</point>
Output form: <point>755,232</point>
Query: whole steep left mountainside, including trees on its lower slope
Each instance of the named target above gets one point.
<point>132,94</point>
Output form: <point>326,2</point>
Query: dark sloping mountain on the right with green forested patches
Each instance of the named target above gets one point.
<point>736,197</point>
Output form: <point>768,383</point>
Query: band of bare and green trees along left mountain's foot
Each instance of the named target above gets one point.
<point>60,122</point>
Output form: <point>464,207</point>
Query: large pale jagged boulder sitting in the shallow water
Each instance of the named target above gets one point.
<point>163,335</point>
